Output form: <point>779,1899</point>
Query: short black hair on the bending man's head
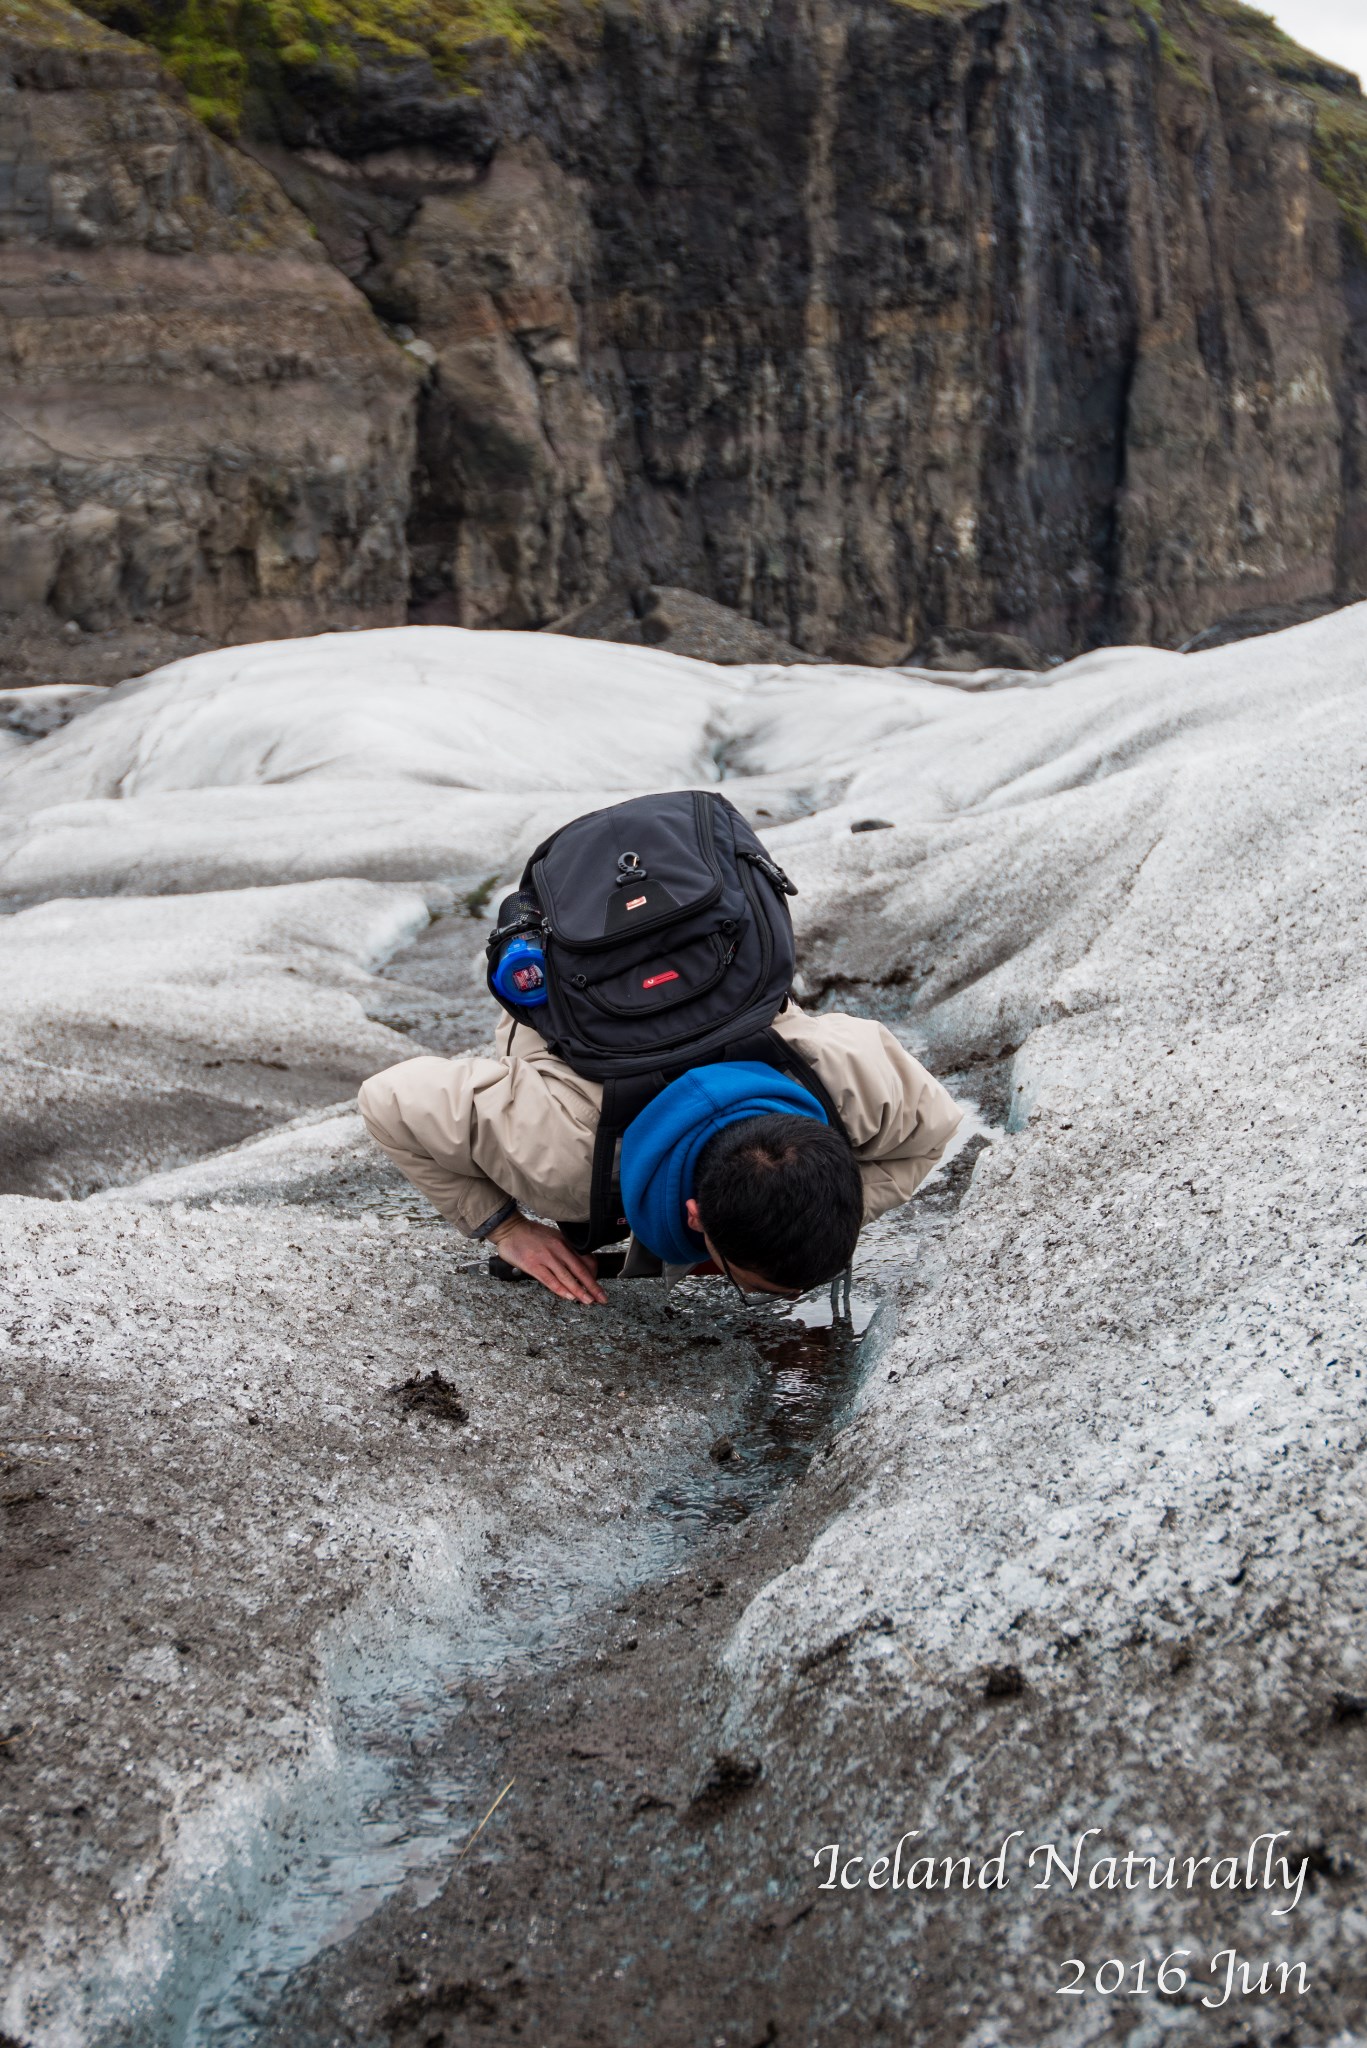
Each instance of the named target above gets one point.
<point>782,1197</point>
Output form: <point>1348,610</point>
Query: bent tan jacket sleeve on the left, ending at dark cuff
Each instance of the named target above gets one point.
<point>423,1115</point>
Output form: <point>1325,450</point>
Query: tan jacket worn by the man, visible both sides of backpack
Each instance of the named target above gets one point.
<point>472,1134</point>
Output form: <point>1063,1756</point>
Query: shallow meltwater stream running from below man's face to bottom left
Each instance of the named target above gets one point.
<point>374,1814</point>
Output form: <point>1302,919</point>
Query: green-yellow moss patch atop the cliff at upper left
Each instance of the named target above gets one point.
<point>229,50</point>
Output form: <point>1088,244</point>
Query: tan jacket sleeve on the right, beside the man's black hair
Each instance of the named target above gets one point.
<point>899,1117</point>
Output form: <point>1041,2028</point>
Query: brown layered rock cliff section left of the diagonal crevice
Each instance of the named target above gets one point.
<point>204,433</point>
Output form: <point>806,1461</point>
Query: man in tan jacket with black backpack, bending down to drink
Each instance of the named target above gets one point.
<point>655,1076</point>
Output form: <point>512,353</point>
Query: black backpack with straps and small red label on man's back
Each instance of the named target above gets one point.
<point>669,945</point>
